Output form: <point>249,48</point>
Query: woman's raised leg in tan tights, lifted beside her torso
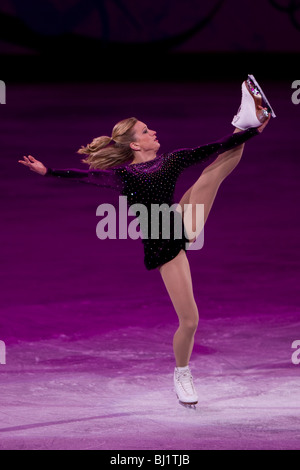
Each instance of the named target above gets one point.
<point>204,190</point>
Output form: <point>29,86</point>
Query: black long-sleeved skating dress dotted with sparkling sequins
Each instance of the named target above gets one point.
<point>153,182</point>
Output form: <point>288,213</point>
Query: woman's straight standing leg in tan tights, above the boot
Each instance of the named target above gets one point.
<point>177,279</point>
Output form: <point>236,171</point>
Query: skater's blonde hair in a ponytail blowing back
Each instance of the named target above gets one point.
<point>104,152</point>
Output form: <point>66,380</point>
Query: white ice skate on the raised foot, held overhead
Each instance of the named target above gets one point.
<point>254,108</point>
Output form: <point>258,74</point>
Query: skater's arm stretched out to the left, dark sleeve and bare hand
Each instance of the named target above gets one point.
<point>105,178</point>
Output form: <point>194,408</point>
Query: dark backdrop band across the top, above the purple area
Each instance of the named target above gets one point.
<point>98,40</point>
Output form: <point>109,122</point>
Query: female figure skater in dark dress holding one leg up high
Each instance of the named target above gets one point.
<point>128,162</point>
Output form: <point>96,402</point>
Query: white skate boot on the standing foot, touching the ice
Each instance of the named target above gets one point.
<point>184,387</point>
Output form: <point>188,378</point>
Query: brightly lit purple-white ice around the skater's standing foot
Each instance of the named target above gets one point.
<point>114,390</point>
